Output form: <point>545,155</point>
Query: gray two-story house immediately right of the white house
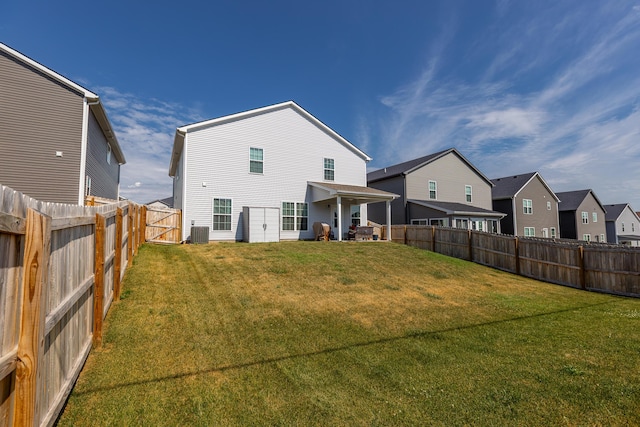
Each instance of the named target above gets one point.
<point>442,189</point>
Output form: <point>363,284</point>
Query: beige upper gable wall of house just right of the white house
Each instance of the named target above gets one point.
<point>451,175</point>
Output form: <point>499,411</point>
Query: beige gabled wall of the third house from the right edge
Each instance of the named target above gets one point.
<point>542,217</point>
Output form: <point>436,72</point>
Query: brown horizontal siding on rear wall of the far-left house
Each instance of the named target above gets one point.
<point>39,117</point>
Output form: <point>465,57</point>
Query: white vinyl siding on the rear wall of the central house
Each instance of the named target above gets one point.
<point>291,147</point>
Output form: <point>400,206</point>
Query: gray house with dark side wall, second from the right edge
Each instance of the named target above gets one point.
<point>582,216</point>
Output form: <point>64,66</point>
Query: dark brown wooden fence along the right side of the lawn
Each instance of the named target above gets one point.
<point>612,269</point>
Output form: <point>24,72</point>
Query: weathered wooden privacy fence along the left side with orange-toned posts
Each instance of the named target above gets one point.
<point>61,267</point>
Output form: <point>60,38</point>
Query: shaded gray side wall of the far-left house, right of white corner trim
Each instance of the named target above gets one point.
<point>105,176</point>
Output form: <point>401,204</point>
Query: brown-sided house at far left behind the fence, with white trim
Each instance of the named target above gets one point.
<point>57,142</point>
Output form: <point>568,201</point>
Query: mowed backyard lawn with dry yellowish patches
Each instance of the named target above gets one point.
<point>314,333</point>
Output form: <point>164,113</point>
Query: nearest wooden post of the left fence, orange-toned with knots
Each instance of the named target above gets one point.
<point>37,251</point>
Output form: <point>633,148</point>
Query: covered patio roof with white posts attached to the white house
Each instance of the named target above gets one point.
<point>344,195</point>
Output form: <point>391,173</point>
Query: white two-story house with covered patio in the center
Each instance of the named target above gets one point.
<point>279,157</point>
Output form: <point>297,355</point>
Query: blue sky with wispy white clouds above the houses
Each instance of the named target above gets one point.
<point>515,86</point>
